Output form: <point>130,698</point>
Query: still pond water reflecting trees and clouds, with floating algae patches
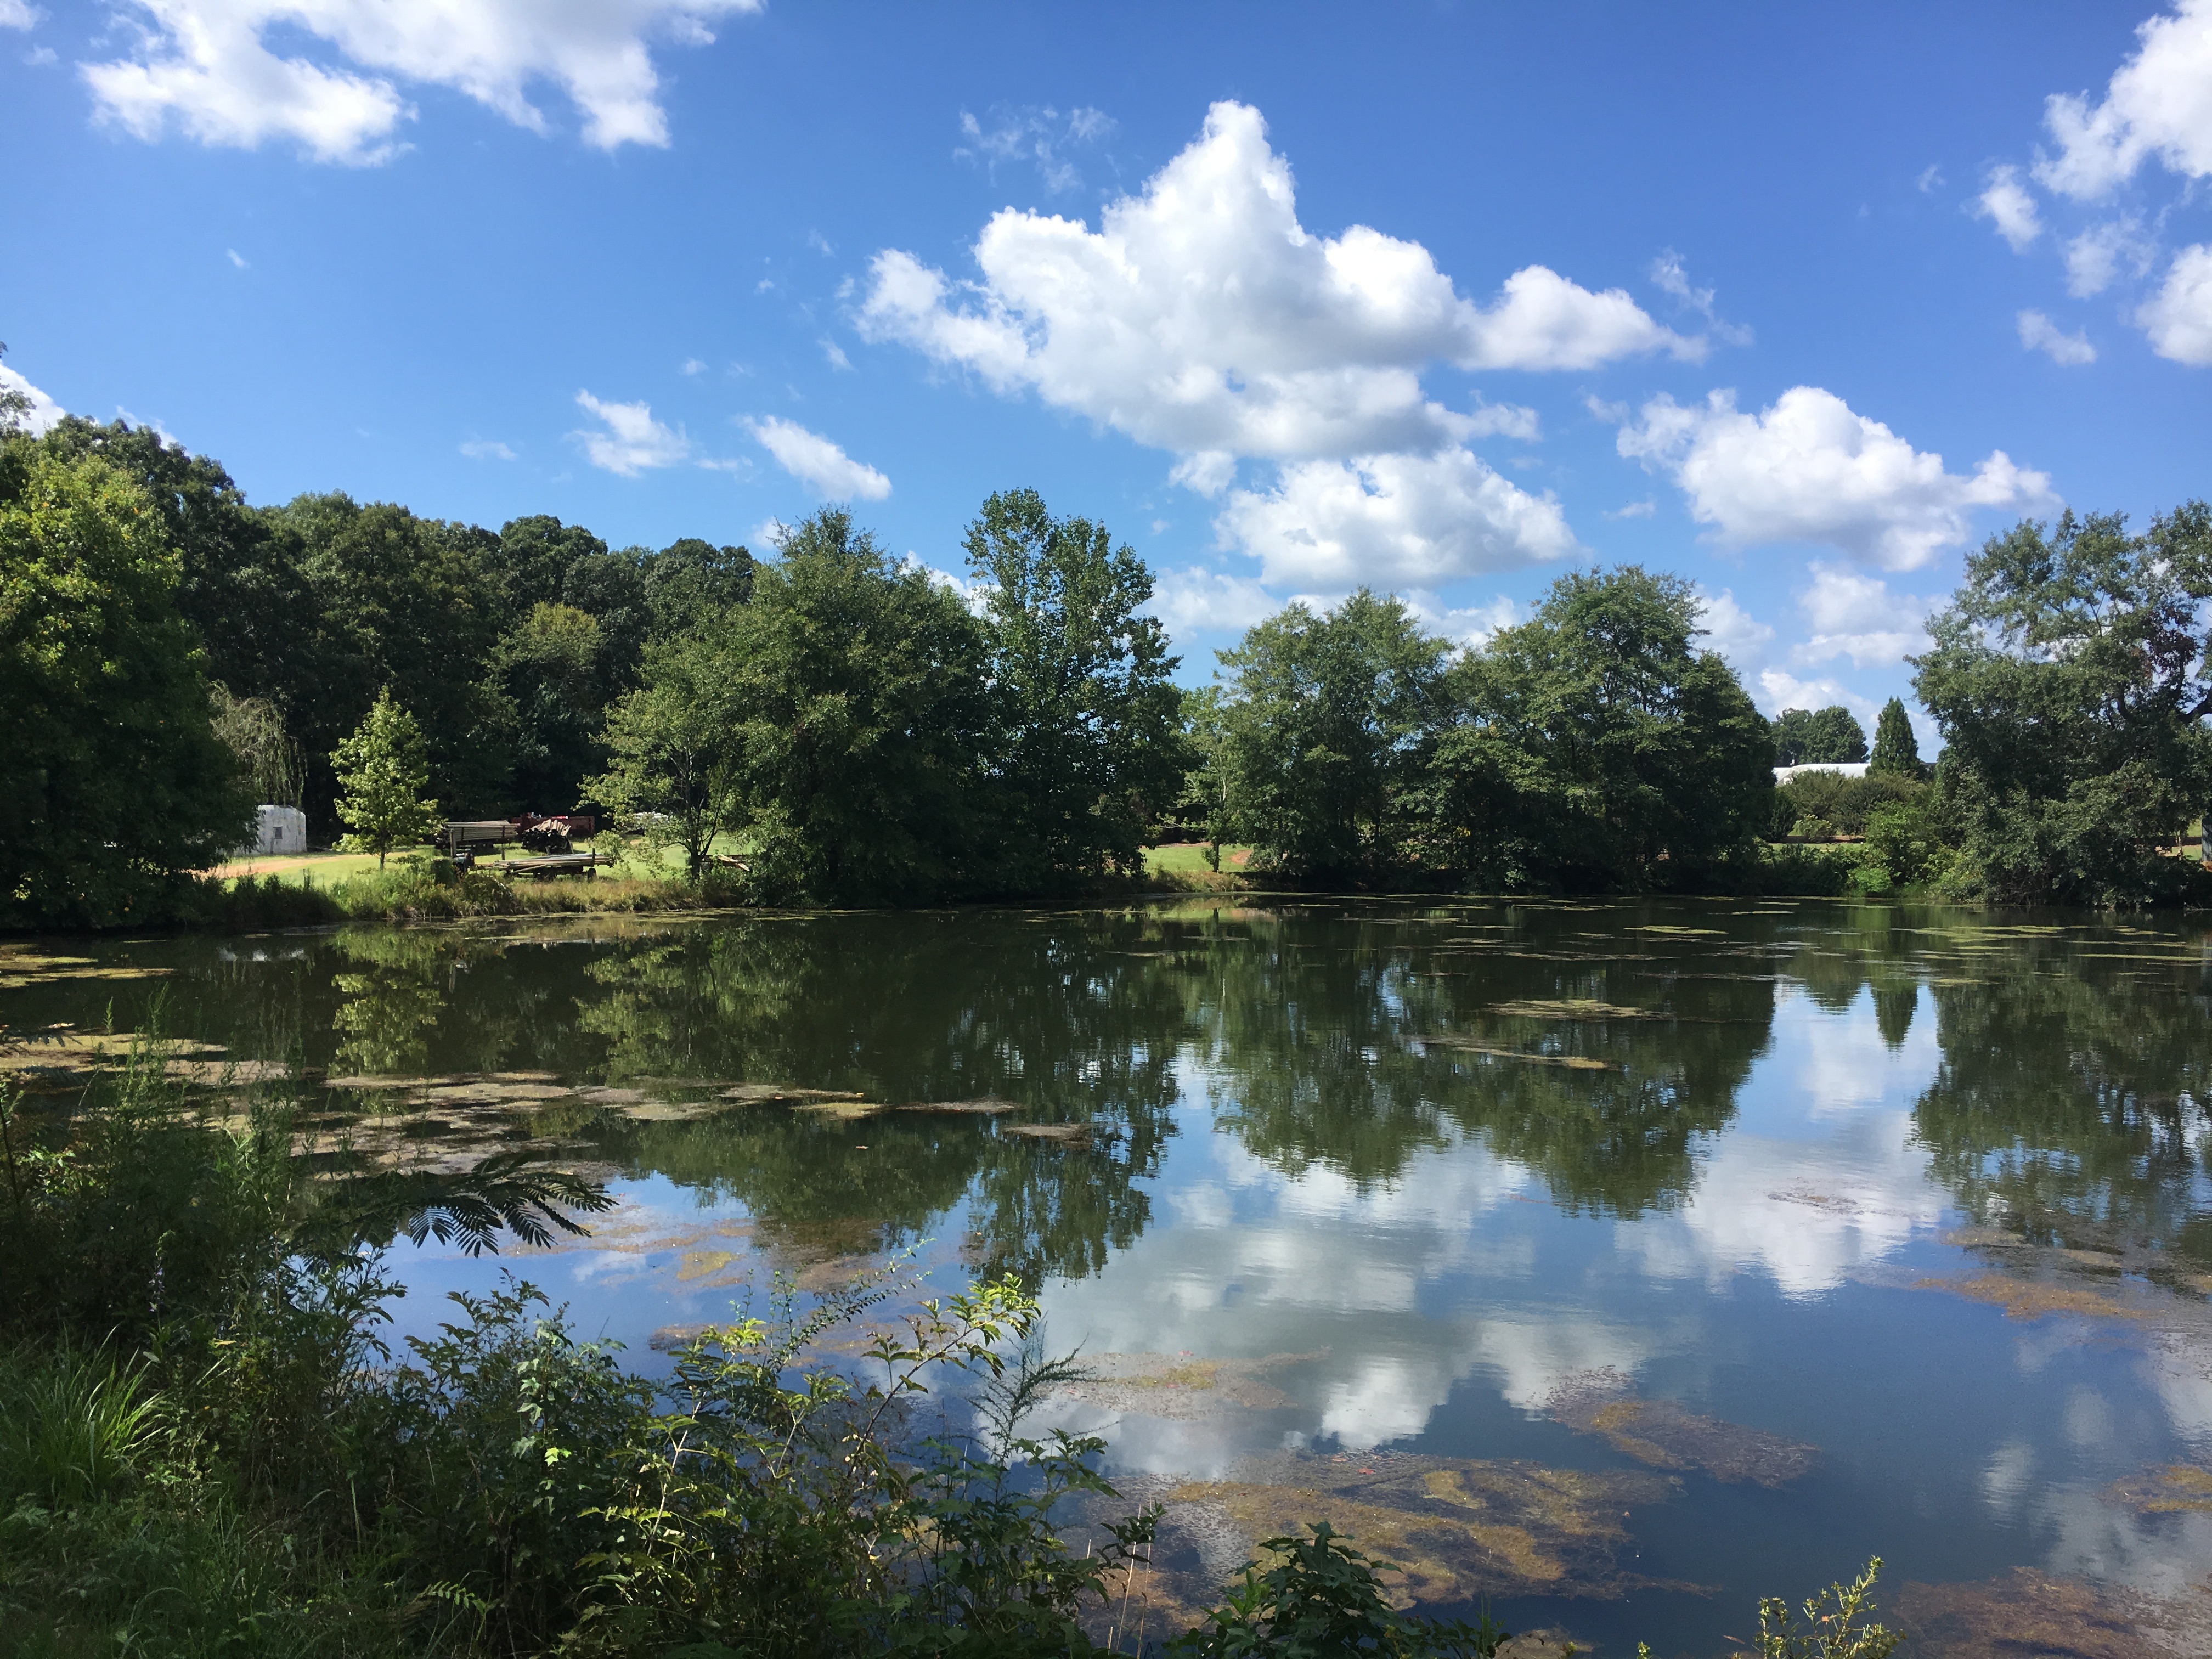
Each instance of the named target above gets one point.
<point>1614,1262</point>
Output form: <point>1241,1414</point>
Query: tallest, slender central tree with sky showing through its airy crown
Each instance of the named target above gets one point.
<point>1085,691</point>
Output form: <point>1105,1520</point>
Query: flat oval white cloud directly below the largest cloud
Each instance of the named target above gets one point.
<point>1392,521</point>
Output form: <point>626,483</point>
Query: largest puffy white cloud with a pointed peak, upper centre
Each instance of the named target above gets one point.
<point>1202,317</point>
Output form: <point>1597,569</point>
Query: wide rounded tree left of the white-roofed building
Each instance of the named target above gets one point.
<point>1600,749</point>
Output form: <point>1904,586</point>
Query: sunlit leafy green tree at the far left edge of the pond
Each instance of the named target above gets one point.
<point>112,775</point>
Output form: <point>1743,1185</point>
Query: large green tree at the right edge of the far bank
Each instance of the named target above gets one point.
<point>2069,680</point>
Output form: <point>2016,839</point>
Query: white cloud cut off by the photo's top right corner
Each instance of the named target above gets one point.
<point>2158,105</point>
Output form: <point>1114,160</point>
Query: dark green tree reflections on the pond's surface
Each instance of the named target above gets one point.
<point>1598,1047</point>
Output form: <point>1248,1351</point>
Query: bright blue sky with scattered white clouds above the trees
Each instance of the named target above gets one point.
<point>1434,298</point>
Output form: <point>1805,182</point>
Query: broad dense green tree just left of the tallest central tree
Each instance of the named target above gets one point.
<point>862,722</point>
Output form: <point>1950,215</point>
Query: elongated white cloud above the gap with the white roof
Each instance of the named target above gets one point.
<point>1813,470</point>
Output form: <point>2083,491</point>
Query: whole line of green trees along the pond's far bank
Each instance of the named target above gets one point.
<point>864,733</point>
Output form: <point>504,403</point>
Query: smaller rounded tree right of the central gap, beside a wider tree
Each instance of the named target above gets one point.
<point>1328,731</point>
